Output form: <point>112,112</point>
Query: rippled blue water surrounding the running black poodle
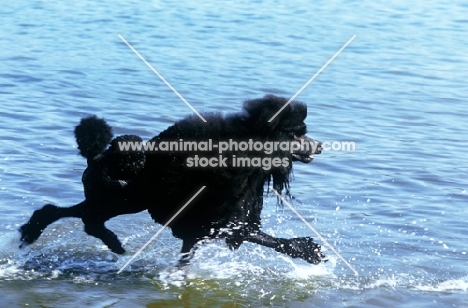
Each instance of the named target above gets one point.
<point>395,208</point>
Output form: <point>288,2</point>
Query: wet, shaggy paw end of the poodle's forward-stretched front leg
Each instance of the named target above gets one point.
<point>304,248</point>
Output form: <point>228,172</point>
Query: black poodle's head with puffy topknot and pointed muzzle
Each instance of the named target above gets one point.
<point>280,121</point>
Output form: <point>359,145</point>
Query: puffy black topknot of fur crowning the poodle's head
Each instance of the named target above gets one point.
<point>260,111</point>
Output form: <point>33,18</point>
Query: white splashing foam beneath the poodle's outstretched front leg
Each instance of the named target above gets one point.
<point>216,261</point>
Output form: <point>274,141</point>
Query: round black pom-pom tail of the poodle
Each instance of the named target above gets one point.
<point>92,135</point>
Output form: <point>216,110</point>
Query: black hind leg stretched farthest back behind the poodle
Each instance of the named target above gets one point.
<point>43,217</point>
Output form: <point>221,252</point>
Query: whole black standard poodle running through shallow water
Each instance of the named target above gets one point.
<point>233,156</point>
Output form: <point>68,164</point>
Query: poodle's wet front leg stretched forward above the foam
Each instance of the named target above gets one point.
<point>301,247</point>
